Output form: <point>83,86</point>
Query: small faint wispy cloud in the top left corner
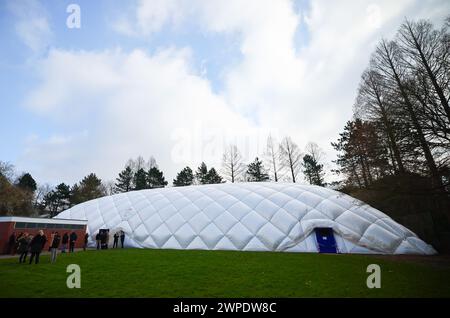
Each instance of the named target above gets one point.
<point>32,25</point>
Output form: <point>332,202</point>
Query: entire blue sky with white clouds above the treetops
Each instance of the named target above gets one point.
<point>179,79</point>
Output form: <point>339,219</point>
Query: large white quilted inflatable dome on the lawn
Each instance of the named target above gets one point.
<point>260,216</point>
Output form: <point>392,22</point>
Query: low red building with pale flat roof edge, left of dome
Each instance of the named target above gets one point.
<point>17,225</point>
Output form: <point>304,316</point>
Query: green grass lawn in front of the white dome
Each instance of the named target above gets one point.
<point>172,273</point>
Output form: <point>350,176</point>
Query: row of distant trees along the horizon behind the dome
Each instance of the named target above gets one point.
<point>21,195</point>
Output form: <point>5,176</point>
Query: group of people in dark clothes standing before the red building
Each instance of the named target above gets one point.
<point>26,243</point>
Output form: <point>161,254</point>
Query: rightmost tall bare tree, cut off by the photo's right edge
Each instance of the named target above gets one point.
<point>426,56</point>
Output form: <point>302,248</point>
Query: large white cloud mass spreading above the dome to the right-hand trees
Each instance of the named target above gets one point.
<point>132,103</point>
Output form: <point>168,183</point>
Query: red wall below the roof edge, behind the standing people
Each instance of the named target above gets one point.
<point>7,228</point>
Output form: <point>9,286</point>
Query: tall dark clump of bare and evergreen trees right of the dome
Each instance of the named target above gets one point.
<point>395,152</point>
